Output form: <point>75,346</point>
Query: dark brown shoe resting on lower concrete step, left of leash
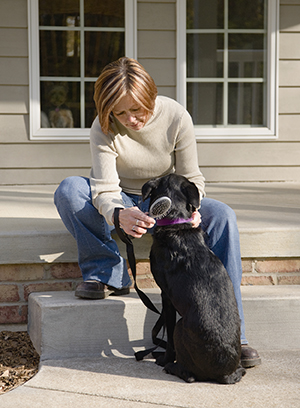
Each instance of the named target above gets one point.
<point>97,290</point>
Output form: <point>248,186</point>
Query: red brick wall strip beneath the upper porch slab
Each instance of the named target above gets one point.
<point>18,281</point>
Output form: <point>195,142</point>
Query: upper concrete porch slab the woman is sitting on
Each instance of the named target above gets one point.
<point>267,216</point>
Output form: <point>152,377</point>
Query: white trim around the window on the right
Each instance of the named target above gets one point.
<point>270,132</point>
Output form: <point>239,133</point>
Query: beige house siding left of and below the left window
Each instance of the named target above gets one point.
<point>23,161</point>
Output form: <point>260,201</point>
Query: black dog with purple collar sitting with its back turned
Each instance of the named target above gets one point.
<point>205,343</point>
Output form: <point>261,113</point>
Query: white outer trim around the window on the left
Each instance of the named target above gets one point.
<point>74,134</point>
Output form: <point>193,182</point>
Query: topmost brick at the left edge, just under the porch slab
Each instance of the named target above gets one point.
<point>18,273</point>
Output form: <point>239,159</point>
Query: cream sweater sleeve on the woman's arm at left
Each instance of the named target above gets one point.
<point>104,179</point>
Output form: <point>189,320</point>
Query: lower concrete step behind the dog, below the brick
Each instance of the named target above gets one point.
<point>62,326</point>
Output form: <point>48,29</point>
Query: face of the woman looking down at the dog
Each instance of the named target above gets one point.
<point>130,113</point>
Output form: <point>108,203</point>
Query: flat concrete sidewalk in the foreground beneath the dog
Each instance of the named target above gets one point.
<point>118,381</point>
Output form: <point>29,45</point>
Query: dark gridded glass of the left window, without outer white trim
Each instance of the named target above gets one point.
<point>68,101</point>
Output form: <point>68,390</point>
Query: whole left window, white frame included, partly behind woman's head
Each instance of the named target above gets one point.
<point>70,42</point>
